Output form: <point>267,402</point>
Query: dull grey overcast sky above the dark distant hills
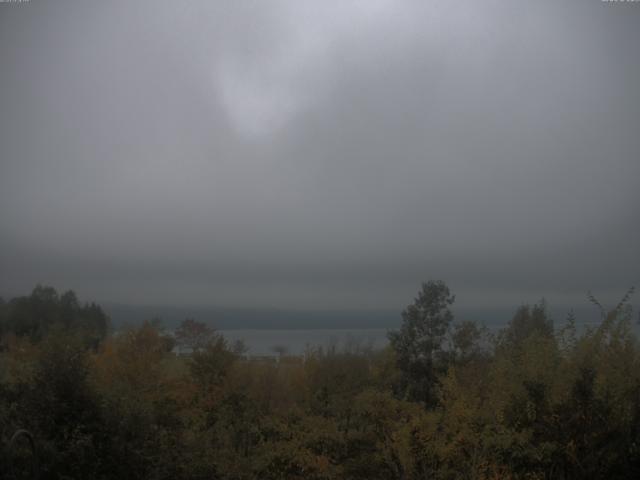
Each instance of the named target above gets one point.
<point>320,154</point>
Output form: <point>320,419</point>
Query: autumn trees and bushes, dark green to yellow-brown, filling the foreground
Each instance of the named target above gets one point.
<point>445,400</point>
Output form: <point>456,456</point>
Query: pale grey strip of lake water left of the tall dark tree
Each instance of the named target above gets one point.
<point>263,342</point>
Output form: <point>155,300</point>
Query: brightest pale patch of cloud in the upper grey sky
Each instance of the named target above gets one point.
<point>263,87</point>
